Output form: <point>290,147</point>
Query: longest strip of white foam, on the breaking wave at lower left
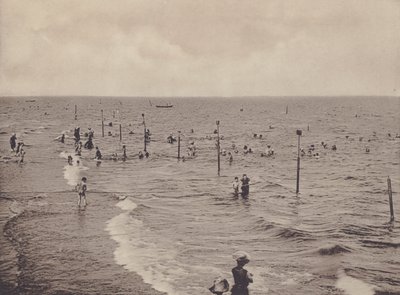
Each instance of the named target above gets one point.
<point>137,253</point>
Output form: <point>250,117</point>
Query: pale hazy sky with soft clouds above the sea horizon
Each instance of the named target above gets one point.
<point>199,47</point>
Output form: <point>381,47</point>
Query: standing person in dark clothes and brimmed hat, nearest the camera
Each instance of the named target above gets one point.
<point>241,276</point>
